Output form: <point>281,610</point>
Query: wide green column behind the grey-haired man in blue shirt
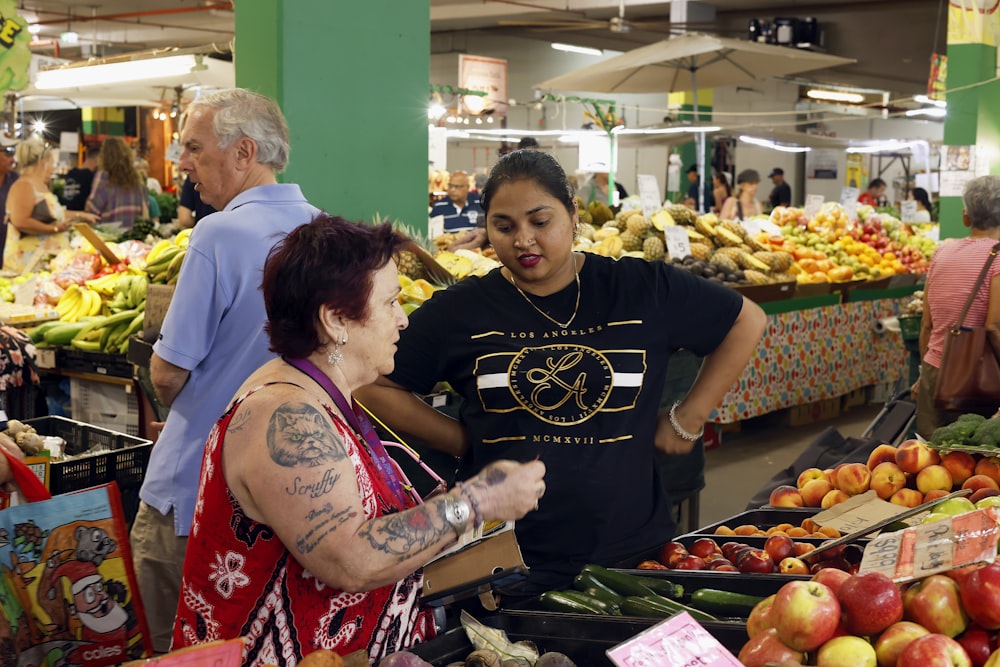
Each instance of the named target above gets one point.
<point>352,79</point>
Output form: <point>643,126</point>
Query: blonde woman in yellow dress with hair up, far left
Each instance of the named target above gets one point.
<point>37,226</point>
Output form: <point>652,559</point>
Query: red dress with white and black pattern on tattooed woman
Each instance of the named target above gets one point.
<point>240,580</point>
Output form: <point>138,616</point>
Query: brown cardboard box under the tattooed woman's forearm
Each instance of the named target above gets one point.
<point>476,565</point>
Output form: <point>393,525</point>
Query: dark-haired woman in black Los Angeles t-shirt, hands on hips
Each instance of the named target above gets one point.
<point>561,356</point>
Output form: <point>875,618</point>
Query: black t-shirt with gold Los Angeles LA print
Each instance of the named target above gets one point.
<point>584,399</point>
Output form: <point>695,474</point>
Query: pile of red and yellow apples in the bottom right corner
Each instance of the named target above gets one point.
<point>836,619</point>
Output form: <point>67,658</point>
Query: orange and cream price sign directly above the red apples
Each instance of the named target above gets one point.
<point>939,546</point>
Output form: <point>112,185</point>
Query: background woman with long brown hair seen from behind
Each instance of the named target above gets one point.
<point>119,192</point>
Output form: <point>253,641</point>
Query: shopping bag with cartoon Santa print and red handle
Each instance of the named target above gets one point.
<point>68,594</point>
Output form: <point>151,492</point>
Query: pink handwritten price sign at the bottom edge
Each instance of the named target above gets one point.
<point>679,640</point>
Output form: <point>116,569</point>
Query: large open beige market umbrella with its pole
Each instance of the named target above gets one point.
<point>689,62</point>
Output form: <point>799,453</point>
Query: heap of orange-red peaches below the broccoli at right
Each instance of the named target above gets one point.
<point>908,475</point>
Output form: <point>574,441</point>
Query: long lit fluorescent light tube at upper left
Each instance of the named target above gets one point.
<point>121,72</point>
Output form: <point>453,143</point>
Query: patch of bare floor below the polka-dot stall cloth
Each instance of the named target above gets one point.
<point>747,460</point>
